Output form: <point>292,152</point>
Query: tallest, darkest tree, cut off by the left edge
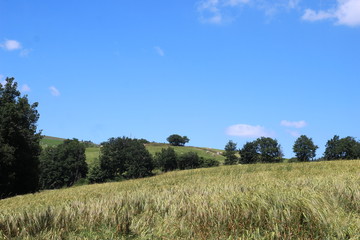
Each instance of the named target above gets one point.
<point>19,142</point>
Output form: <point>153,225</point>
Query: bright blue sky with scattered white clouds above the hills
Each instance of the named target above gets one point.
<point>213,70</point>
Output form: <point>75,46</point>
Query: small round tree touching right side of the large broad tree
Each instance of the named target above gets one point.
<point>166,160</point>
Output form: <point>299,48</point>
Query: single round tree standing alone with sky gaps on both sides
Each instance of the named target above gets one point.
<point>304,149</point>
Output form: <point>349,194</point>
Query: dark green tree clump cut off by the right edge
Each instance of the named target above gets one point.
<point>344,148</point>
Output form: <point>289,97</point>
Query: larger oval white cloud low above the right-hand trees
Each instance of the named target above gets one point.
<point>244,130</point>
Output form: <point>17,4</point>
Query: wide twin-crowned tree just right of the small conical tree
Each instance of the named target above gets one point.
<point>263,149</point>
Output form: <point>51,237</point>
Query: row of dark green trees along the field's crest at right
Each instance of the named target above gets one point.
<point>268,150</point>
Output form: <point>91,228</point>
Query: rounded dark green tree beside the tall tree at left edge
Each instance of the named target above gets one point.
<point>62,165</point>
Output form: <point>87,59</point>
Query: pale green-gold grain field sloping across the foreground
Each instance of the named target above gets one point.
<point>318,200</point>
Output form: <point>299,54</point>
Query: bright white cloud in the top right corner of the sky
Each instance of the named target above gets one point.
<point>347,12</point>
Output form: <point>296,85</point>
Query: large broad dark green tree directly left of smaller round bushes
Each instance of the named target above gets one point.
<point>125,158</point>
